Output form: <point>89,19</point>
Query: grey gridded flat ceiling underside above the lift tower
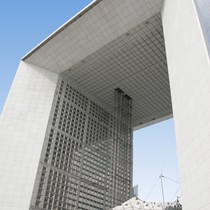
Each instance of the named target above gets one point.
<point>134,62</point>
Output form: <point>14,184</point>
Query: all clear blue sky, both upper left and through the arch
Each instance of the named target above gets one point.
<point>24,24</point>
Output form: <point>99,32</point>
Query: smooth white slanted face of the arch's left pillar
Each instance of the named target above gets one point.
<point>22,129</point>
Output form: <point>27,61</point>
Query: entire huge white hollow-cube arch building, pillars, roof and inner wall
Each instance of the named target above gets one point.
<point>156,52</point>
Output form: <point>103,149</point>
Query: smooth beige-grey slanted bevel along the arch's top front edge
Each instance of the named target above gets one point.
<point>90,31</point>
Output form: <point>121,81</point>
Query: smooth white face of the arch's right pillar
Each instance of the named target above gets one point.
<point>189,75</point>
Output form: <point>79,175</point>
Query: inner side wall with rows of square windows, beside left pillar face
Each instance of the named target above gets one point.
<point>78,160</point>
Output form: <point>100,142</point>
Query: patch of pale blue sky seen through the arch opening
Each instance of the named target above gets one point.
<point>155,153</point>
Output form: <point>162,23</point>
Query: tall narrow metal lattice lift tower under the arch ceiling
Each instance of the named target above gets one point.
<point>122,147</point>
